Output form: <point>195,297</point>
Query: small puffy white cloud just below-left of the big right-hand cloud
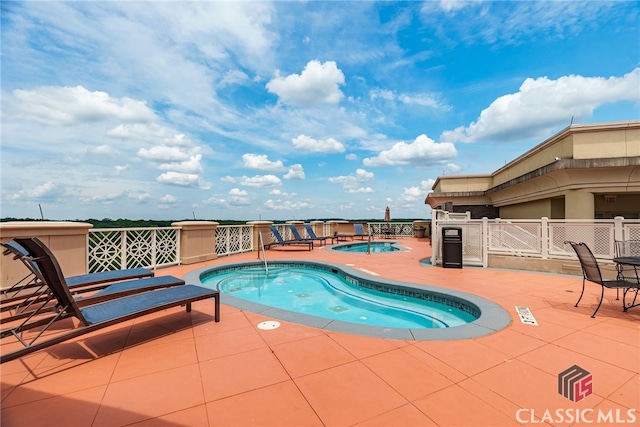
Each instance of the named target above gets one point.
<point>422,151</point>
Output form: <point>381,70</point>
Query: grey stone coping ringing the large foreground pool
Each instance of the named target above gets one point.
<point>493,317</point>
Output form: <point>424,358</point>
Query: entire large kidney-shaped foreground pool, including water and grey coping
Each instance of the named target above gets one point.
<point>354,306</point>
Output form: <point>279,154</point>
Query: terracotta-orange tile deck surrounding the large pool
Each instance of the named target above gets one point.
<point>180,369</point>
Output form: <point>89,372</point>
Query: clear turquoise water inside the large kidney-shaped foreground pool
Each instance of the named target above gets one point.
<point>323,293</point>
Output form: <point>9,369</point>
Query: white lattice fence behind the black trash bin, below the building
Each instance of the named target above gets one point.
<point>542,238</point>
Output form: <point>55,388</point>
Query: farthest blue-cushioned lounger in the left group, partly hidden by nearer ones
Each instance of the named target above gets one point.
<point>30,284</point>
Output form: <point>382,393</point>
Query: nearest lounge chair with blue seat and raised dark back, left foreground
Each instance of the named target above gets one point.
<point>97,316</point>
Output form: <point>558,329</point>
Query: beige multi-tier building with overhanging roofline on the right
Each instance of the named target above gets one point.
<point>583,172</point>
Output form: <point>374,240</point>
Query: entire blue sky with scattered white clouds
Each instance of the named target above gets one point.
<point>292,110</point>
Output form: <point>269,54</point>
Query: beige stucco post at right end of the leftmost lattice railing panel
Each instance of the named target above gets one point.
<point>197,241</point>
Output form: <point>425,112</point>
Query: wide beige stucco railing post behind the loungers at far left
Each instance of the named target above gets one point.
<point>67,241</point>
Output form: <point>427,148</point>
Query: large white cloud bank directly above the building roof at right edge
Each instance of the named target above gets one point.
<point>543,104</point>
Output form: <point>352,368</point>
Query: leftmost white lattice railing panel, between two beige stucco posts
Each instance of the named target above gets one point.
<point>116,249</point>
